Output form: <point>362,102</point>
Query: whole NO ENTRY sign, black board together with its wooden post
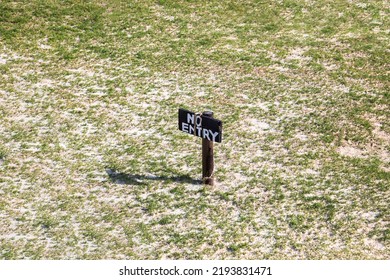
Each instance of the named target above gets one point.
<point>210,130</point>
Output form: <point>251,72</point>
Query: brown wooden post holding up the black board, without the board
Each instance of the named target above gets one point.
<point>207,157</point>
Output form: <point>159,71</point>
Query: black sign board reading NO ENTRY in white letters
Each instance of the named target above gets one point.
<point>200,125</point>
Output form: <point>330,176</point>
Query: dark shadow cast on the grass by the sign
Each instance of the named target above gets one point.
<point>136,179</point>
